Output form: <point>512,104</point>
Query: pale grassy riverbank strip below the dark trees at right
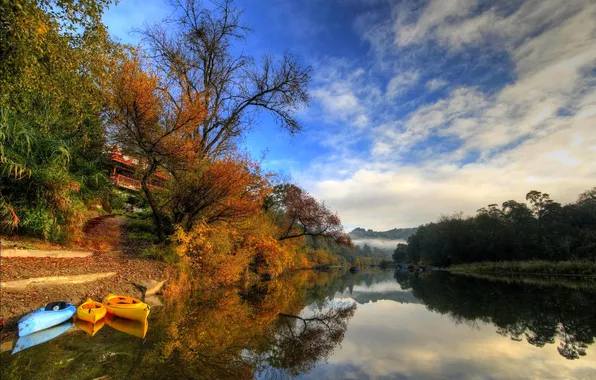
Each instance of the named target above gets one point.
<point>533,267</point>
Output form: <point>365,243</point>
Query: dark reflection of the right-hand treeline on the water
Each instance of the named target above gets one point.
<point>538,314</point>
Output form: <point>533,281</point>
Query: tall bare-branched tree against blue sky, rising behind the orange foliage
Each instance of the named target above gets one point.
<point>197,49</point>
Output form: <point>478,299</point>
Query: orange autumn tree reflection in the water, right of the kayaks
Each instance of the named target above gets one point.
<point>238,334</point>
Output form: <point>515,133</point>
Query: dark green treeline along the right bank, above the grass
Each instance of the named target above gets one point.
<point>544,230</point>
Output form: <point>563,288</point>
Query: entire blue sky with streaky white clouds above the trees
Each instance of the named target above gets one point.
<point>424,108</point>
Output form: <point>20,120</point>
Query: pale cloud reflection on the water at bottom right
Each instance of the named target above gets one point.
<point>431,347</point>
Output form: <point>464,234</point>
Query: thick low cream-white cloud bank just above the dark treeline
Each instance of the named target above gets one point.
<point>408,195</point>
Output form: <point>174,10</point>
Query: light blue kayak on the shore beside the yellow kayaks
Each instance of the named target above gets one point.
<point>51,315</point>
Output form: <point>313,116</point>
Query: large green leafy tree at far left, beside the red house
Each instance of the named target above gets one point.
<point>54,59</point>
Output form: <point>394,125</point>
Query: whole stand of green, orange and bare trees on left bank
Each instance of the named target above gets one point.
<point>180,103</point>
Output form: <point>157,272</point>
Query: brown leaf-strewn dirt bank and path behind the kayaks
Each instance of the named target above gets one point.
<point>104,235</point>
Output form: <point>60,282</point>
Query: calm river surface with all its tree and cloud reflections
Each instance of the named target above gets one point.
<point>376,324</point>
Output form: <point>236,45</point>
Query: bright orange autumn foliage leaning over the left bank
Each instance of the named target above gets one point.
<point>214,204</point>
